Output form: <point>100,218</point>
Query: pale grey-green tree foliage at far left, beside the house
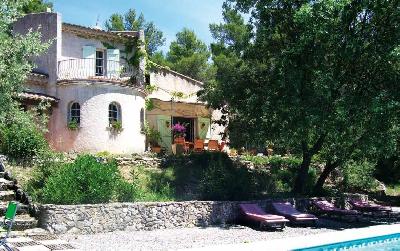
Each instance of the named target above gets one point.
<point>16,52</point>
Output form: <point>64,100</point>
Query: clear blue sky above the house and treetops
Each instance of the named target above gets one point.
<point>169,15</point>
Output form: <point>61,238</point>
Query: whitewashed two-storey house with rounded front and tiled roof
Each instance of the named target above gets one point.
<point>98,94</point>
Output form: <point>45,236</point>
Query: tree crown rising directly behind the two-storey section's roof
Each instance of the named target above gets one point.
<point>131,22</point>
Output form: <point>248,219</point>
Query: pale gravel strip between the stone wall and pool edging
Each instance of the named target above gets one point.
<point>172,239</point>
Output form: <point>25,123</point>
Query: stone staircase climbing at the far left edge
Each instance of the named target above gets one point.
<point>10,191</point>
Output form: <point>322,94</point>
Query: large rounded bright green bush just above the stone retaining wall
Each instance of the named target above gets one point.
<point>84,181</point>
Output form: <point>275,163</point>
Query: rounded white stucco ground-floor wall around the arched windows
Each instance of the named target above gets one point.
<point>94,134</point>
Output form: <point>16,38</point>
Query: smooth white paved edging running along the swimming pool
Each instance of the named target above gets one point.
<point>309,241</point>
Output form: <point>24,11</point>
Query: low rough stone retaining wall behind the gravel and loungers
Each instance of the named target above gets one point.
<point>87,219</point>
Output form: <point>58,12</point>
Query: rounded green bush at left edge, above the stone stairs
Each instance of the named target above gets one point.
<point>22,140</point>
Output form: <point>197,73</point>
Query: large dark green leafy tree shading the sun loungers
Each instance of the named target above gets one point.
<point>312,76</point>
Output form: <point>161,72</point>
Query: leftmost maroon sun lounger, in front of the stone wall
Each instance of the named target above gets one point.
<point>252,212</point>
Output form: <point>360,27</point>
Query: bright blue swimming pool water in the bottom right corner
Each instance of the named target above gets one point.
<point>379,243</point>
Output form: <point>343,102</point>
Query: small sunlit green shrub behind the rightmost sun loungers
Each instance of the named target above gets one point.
<point>358,176</point>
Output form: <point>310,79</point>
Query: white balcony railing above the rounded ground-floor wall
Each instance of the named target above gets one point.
<point>86,68</point>
